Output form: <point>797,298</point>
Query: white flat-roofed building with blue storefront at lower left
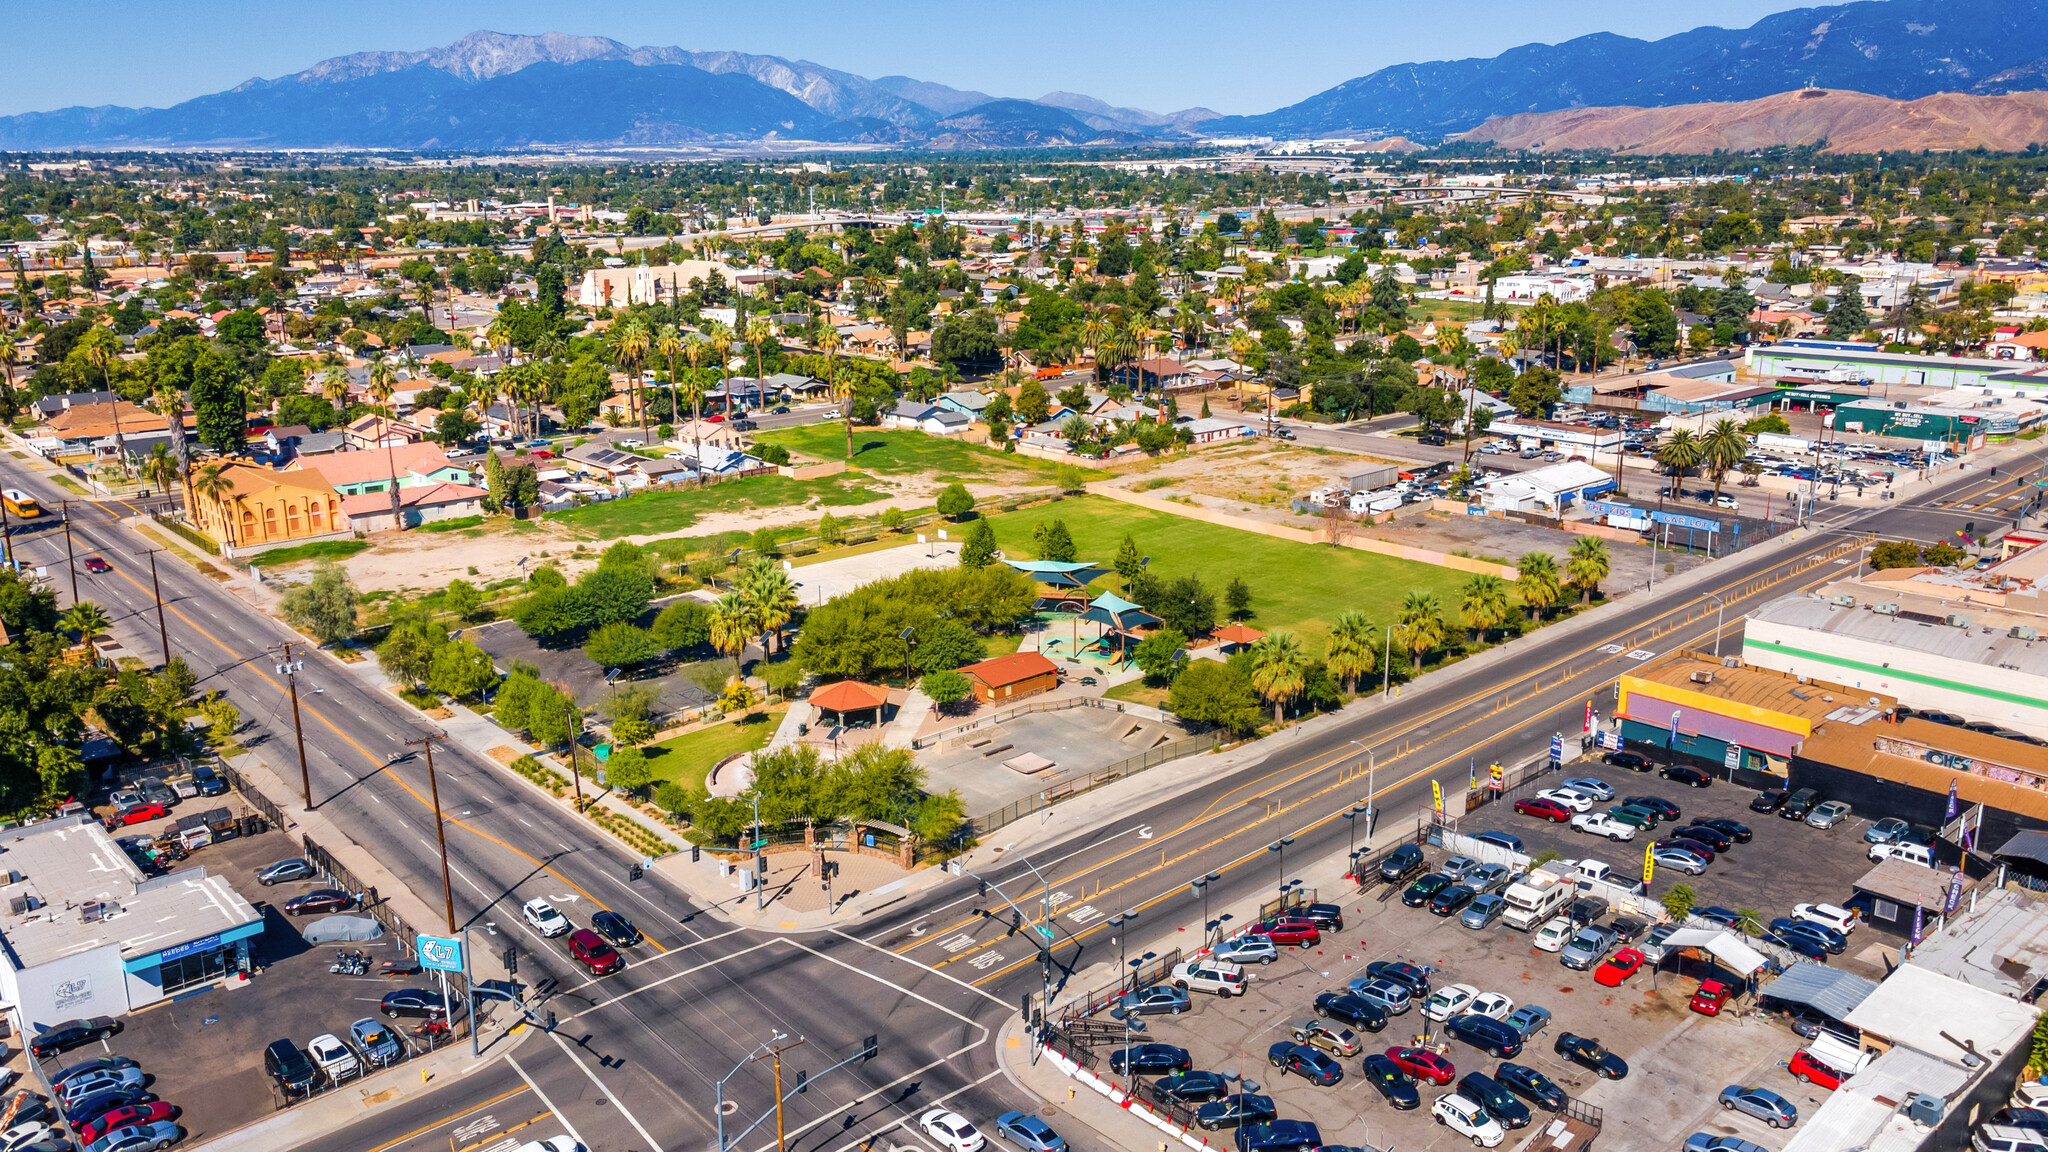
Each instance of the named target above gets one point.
<point>87,936</point>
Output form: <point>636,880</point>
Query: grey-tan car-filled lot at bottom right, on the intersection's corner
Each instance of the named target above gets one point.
<point>1680,1061</point>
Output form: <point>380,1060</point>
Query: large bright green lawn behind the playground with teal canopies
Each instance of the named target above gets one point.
<point>1297,587</point>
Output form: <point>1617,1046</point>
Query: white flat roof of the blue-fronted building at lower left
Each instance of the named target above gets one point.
<point>73,868</point>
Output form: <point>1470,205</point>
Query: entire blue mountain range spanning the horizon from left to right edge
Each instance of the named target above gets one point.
<point>493,91</point>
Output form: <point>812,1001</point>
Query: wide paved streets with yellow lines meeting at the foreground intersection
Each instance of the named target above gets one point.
<point>636,1059</point>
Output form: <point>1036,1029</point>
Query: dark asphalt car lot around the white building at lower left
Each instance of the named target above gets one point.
<point>204,1051</point>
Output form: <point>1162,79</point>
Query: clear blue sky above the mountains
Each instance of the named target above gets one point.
<point>1156,54</point>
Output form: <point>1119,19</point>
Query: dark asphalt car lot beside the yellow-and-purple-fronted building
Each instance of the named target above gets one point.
<point>1787,862</point>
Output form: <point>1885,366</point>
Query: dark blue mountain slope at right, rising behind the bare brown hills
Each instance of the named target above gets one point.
<point>1889,48</point>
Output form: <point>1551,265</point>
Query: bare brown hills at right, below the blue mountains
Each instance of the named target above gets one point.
<point>1848,122</point>
